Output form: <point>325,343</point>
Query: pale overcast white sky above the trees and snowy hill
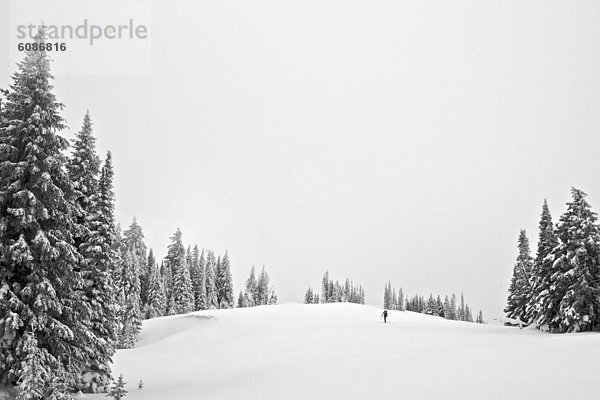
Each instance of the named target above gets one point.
<point>393,140</point>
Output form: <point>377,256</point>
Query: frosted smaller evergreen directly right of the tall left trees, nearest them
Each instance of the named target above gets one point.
<point>129,297</point>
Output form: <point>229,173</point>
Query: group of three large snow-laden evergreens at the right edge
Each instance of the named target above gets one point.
<point>559,290</point>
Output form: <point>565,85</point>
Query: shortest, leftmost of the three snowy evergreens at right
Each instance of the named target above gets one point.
<point>521,282</point>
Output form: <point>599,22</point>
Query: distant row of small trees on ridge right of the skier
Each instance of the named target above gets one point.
<point>448,308</point>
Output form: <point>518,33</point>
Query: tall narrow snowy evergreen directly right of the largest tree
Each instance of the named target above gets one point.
<point>97,263</point>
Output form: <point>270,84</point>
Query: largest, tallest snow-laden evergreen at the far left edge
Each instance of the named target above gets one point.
<point>40,306</point>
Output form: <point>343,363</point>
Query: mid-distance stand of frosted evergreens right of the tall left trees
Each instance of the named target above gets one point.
<point>187,280</point>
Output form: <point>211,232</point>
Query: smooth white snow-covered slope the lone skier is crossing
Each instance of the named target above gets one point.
<point>344,351</point>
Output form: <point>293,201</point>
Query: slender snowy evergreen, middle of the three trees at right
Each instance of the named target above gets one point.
<point>542,266</point>
